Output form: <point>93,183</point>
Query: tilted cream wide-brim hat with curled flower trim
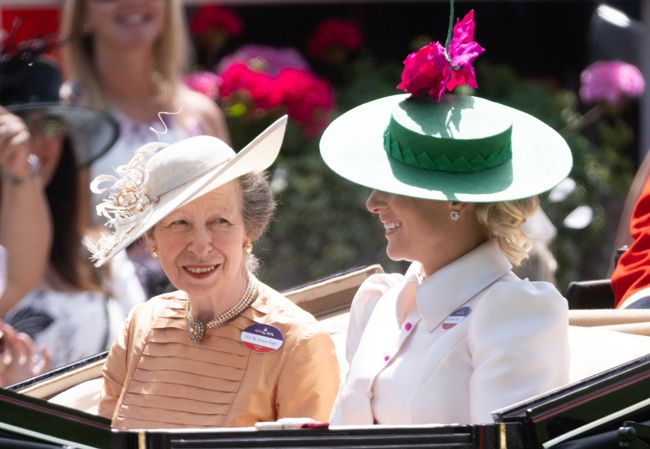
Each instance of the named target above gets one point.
<point>158,181</point>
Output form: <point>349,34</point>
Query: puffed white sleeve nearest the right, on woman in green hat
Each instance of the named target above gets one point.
<point>518,339</point>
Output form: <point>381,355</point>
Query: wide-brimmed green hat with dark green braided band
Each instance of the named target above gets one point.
<point>462,148</point>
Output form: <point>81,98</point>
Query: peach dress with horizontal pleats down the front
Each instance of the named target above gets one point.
<point>155,377</point>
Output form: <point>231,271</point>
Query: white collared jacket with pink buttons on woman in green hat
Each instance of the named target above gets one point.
<point>473,338</point>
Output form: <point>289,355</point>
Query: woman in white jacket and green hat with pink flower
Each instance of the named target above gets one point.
<point>454,180</point>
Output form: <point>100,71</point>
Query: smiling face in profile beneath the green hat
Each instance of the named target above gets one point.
<point>422,230</point>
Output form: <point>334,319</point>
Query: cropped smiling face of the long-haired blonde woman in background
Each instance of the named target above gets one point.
<point>129,23</point>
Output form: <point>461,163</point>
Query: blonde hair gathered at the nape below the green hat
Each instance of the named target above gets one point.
<point>503,221</point>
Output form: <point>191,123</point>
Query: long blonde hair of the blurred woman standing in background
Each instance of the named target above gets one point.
<point>171,53</point>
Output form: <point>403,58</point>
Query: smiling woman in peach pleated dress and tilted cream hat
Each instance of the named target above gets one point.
<point>225,349</point>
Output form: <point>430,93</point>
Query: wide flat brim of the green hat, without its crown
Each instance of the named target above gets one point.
<point>353,146</point>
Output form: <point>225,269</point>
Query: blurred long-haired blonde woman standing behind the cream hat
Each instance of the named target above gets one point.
<point>128,57</point>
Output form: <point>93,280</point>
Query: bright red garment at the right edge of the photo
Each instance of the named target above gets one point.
<point>632,273</point>
